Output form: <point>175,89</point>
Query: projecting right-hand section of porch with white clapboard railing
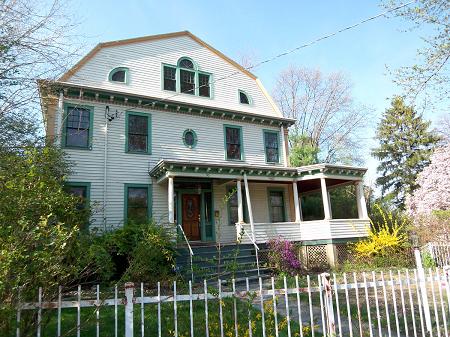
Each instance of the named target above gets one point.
<point>320,181</point>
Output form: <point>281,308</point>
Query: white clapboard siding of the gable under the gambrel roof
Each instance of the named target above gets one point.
<point>145,59</point>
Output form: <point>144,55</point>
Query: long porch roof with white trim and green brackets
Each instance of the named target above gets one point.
<point>334,173</point>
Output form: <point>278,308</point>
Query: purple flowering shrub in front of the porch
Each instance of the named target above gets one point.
<point>283,256</point>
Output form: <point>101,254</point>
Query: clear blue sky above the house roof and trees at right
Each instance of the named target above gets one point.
<point>263,29</point>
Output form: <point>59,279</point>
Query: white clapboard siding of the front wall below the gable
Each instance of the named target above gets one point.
<point>167,143</point>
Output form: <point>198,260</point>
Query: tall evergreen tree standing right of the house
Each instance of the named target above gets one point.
<point>406,144</point>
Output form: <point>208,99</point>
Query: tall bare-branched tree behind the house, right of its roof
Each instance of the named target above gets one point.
<point>325,112</point>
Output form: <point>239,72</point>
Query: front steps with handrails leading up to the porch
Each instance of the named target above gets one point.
<point>231,261</point>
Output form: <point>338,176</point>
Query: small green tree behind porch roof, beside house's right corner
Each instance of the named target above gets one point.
<point>302,151</point>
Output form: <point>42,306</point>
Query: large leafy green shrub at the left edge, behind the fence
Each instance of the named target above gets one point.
<point>40,226</point>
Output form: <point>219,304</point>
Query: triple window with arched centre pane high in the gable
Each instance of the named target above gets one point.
<point>185,78</point>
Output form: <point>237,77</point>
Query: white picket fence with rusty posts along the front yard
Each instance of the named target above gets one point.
<point>402,303</point>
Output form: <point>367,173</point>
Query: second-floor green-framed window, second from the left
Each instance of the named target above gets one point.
<point>138,133</point>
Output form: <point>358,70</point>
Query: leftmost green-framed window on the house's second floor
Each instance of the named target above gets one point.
<point>78,127</point>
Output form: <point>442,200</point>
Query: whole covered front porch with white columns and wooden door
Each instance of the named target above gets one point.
<point>229,202</point>
